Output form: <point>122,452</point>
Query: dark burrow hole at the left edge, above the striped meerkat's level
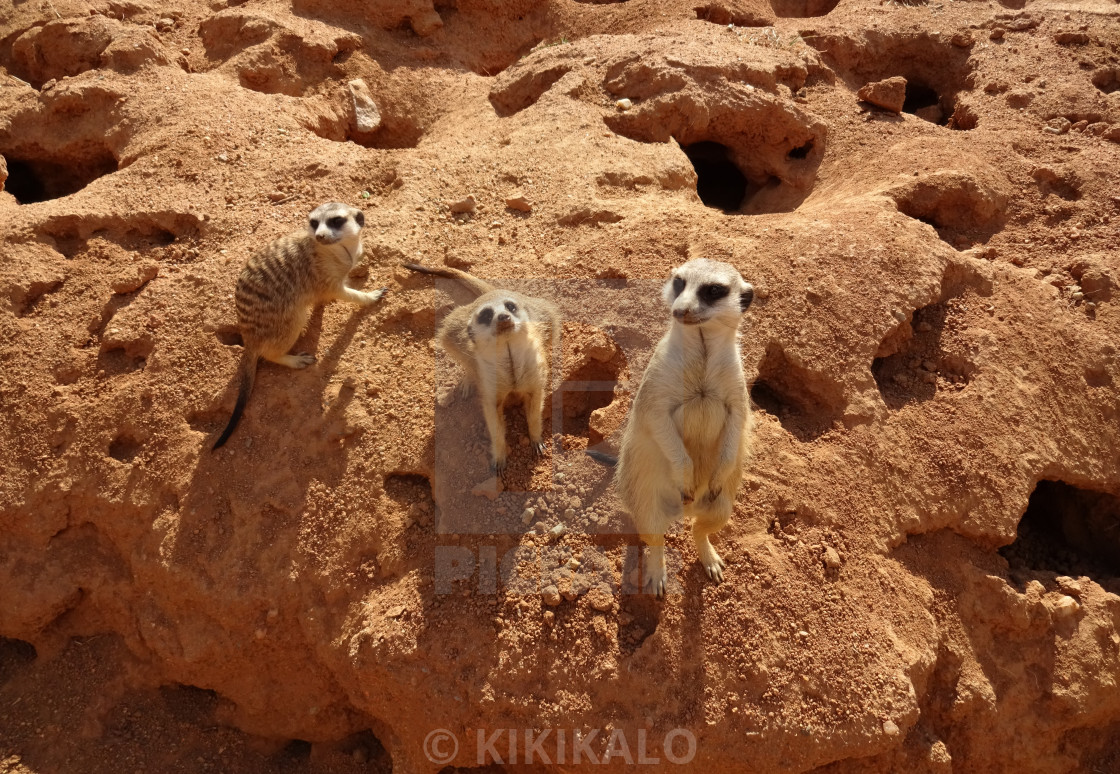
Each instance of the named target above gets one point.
<point>41,179</point>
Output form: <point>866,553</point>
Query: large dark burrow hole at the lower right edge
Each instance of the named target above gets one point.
<point>1068,530</point>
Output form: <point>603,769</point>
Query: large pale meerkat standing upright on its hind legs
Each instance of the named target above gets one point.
<point>689,428</point>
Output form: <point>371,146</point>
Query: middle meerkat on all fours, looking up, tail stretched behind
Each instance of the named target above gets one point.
<point>503,341</point>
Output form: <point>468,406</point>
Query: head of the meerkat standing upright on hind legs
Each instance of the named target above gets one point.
<point>704,291</point>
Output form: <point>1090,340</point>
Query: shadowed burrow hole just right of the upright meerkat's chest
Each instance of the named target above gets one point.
<point>806,404</point>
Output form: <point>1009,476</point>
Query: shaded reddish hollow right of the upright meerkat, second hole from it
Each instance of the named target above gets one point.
<point>911,363</point>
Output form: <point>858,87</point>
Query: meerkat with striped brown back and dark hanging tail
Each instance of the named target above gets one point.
<point>283,283</point>
